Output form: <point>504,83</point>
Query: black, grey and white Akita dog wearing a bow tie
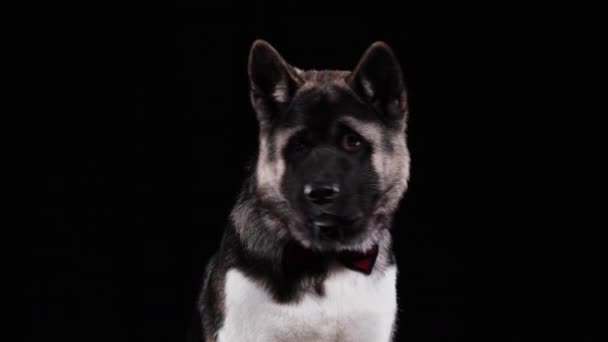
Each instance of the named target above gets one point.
<point>307,255</point>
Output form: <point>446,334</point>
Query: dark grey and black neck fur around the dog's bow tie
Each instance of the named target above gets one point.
<point>266,254</point>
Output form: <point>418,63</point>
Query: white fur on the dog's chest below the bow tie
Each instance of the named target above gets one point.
<point>355,307</point>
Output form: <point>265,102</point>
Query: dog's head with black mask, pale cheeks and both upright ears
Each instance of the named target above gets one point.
<point>333,162</point>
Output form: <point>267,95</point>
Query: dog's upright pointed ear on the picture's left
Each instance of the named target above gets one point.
<point>273,82</point>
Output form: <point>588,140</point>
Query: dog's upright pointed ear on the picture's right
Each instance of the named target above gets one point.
<point>378,79</point>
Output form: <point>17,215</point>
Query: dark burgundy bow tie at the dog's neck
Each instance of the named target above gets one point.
<point>298,256</point>
